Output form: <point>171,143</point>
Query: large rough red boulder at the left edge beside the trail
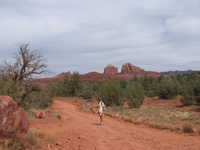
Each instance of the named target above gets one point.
<point>13,119</point>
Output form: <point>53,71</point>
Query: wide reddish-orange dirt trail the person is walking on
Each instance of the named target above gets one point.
<point>79,131</point>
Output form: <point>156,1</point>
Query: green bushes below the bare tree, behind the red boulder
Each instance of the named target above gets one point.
<point>28,95</point>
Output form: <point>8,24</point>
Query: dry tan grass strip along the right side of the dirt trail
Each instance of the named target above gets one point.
<point>160,117</point>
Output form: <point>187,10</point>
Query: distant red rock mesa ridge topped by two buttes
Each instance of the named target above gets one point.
<point>128,72</point>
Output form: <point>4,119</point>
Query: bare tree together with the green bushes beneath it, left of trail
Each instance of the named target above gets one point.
<point>16,79</point>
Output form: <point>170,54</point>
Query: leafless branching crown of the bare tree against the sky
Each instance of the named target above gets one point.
<point>27,63</point>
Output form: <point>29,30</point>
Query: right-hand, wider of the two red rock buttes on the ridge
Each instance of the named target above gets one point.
<point>129,68</point>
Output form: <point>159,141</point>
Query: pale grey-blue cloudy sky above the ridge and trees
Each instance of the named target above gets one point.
<point>86,35</point>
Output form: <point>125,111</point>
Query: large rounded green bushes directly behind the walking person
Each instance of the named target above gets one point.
<point>116,93</point>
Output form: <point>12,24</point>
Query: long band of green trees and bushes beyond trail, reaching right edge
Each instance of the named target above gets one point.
<point>134,91</point>
